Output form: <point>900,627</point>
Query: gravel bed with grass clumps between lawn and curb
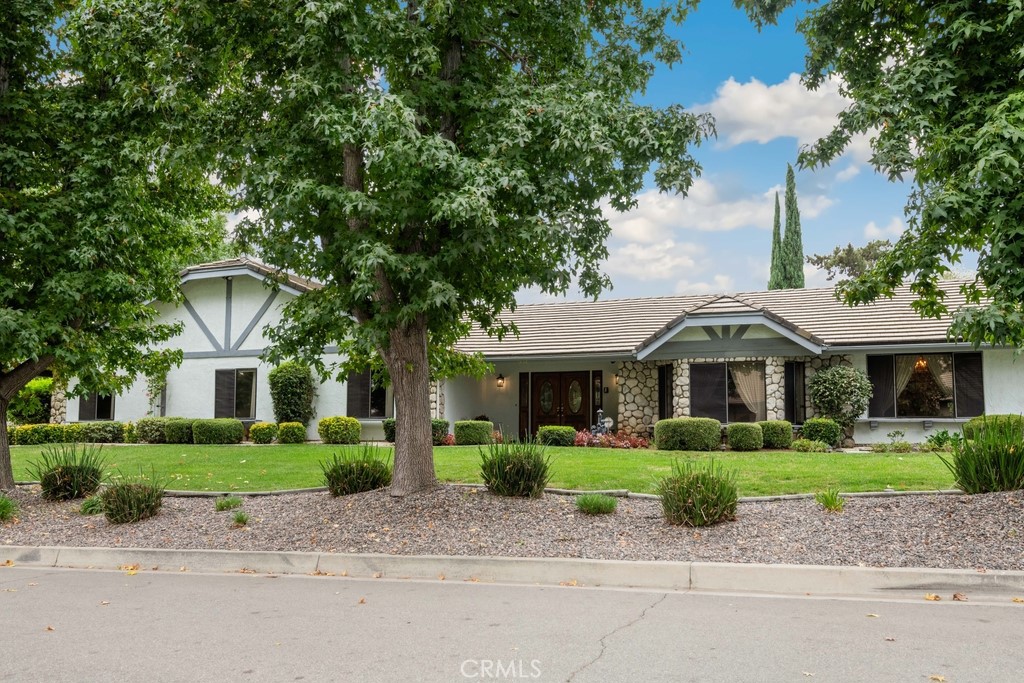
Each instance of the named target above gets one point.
<point>945,532</point>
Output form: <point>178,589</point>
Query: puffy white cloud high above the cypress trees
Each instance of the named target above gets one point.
<point>755,112</point>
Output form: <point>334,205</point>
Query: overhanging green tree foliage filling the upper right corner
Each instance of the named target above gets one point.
<point>936,84</point>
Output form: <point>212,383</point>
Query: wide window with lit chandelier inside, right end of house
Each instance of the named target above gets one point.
<point>926,386</point>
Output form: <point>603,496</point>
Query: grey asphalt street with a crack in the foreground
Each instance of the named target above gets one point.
<point>135,624</point>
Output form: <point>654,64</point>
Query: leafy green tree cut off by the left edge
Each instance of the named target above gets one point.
<point>94,212</point>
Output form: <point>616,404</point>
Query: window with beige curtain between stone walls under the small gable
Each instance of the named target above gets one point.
<point>732,392</point>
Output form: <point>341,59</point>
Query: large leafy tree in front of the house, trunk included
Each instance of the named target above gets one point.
<point>425,160</point>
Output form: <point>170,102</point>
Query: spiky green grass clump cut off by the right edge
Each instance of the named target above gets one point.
<point>993,461</point>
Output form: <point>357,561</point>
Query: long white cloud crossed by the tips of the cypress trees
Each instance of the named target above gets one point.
<point>658,217</point>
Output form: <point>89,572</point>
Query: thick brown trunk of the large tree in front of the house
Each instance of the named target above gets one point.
<point>414,454</point>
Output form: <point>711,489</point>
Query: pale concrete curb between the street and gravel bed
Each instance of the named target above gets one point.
<point>714,577</point>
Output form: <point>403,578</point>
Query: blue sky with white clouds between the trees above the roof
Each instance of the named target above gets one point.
<point>718,239</point>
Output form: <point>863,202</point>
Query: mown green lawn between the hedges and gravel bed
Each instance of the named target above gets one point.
<point>275,467</point>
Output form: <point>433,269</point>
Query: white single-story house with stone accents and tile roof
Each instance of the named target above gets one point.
<point>738,358</point>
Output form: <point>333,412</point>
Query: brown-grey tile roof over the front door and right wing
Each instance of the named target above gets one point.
<point>620,327</point>
